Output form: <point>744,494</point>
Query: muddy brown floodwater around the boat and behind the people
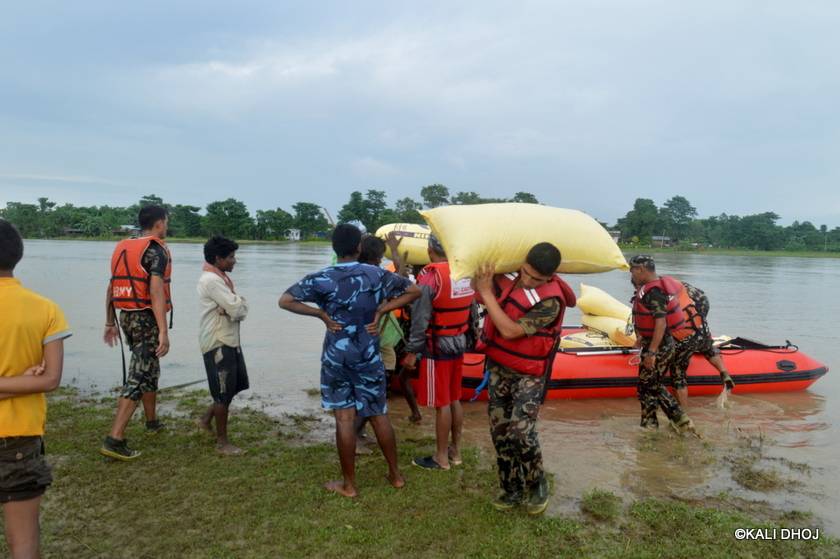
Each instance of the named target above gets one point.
<point>779,449</point>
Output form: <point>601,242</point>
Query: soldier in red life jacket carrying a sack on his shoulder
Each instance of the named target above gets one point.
<point>523,323</point>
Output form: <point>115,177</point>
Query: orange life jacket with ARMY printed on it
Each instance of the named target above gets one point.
<point>130,281</point>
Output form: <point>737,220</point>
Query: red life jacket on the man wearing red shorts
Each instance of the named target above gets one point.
<point>451,305</point>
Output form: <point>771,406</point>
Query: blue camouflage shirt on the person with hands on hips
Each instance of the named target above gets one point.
<point>350,293</point>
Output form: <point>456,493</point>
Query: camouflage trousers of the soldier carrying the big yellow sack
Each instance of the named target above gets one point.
<point>513,408</point>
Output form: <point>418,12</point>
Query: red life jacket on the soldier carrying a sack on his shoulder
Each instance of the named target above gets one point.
<point>528,355</point>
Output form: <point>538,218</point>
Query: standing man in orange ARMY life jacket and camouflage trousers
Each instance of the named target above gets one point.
<point>141,271</point>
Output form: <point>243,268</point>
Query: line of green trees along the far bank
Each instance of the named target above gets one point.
<point>644,225</point>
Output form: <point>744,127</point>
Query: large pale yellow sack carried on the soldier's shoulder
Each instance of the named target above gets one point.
<point>502,234</point>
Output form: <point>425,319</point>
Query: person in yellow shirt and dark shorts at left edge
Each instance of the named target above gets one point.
<point>31,361</point>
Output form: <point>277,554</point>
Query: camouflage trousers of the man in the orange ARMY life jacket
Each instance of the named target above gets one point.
<point>140,334</point>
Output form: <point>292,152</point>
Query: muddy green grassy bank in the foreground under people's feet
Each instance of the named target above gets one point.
<point>180,499</point>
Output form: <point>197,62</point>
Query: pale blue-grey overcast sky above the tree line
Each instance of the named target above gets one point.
<point>587,104</point>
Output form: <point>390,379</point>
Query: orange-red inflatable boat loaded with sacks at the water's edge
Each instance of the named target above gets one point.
<point>593,372</point>
